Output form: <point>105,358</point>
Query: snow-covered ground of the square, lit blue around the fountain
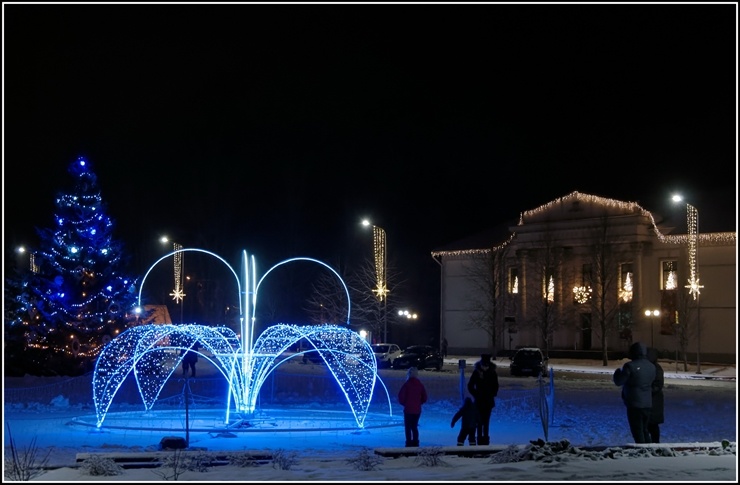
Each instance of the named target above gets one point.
<point>588,438</point>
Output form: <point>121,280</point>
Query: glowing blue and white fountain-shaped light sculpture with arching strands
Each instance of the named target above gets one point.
<point>154,352</point>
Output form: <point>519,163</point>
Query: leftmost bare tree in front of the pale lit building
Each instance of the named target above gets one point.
<point>487,276</point>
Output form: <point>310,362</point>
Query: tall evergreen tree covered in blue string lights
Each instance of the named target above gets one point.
<point>73,297</point>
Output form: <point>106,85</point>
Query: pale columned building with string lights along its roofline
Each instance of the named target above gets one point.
<point>580,273</point>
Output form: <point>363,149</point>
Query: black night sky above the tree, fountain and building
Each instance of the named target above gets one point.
<point>277,128</point>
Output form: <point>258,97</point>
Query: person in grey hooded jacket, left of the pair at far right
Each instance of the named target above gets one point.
<point>636,378</point>
